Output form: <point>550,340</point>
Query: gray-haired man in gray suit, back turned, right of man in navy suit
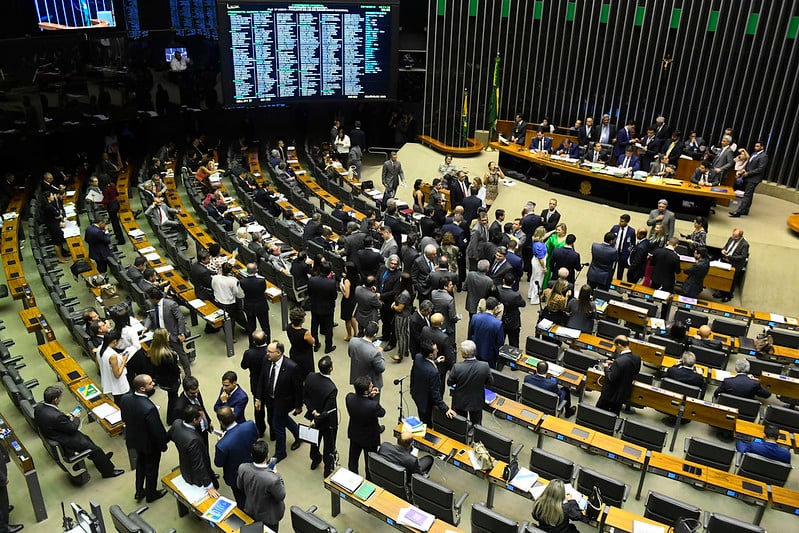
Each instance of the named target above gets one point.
<point>469,378</point>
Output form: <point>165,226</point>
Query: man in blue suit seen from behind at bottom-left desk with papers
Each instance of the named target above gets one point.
<point>233,449</point>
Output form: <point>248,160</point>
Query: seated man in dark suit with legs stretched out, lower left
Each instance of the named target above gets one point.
<point>64,429</point>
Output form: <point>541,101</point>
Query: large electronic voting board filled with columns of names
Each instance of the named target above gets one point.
<point>278,52</point>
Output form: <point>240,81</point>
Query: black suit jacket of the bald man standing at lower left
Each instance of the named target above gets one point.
<point>144,431</point>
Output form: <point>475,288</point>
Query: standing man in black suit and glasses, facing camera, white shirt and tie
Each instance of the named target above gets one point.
<point>280,390</point>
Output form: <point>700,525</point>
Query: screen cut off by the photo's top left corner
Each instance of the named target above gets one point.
<point>74,14</point>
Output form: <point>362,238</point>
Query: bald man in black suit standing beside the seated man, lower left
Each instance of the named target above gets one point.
<point>145,435</point>
